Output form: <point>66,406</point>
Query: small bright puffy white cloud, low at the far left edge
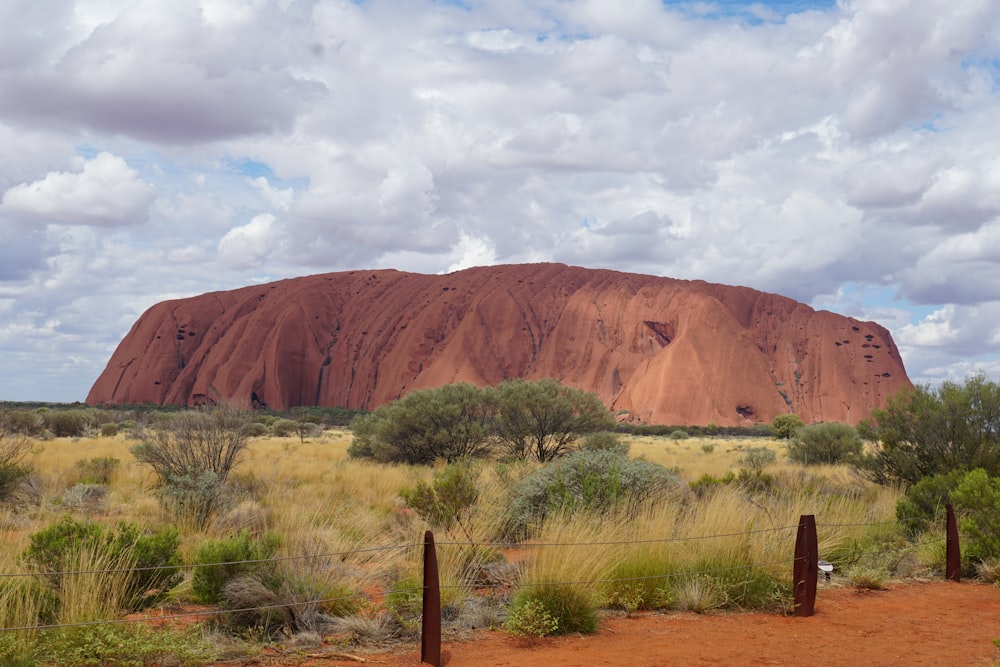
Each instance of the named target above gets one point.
<point>105,193</point>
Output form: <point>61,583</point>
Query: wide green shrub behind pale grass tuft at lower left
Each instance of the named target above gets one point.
<point>155,556</point>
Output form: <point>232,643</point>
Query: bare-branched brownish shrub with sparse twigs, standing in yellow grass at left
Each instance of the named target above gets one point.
<point>193,457</point>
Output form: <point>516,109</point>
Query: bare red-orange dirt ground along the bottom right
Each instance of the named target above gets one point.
<point>918,623</point>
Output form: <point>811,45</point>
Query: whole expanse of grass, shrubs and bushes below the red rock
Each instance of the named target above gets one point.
<point>297,540</point>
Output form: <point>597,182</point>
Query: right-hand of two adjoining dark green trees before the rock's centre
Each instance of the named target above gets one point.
<point>541,420</point>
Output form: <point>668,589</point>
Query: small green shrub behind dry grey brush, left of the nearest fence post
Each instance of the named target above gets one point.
<point>219,561</point>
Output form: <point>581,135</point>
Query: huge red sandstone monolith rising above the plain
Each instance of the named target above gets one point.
<point>656,350</point>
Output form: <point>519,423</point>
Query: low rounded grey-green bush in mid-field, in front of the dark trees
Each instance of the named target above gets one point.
<point>594,480</point>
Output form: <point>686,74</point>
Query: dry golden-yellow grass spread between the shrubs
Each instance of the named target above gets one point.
<point>321,502</point>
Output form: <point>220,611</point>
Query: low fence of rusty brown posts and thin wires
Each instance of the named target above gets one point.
<point>805,574</point>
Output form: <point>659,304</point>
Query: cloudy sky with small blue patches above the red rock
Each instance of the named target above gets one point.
<point>844,153</point>
